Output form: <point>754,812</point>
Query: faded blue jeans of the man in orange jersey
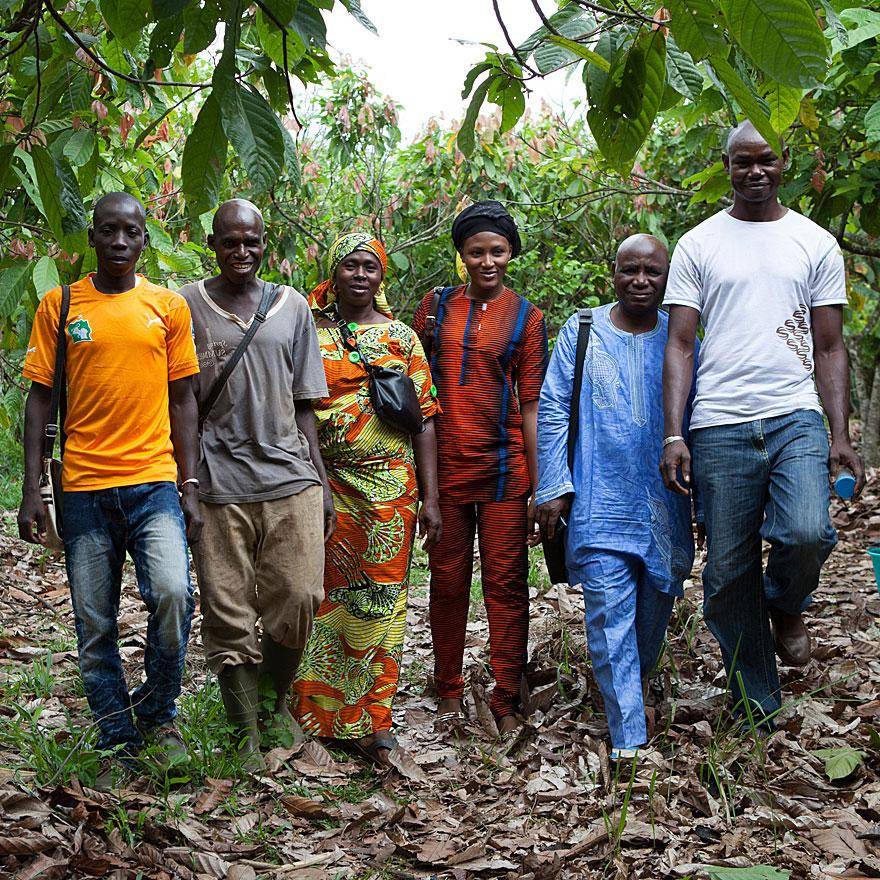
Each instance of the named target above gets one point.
<point>99,527</point>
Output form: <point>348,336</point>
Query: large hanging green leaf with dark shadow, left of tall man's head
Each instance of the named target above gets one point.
<point>623,116</point>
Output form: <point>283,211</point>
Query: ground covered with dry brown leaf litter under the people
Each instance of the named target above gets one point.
<point>458,803</point>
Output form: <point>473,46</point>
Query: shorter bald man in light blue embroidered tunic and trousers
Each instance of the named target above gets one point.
<point>629,539</point>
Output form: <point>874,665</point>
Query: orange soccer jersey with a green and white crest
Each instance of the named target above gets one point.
<point>122,350</point>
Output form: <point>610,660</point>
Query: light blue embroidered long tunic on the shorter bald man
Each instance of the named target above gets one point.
<point>620,503</point>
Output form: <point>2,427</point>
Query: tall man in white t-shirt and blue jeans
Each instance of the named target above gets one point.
<point>768,287</point>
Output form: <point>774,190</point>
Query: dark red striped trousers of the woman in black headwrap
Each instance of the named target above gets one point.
<point>501,526</point>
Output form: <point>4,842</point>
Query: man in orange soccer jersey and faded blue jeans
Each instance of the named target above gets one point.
<point>130,414</point>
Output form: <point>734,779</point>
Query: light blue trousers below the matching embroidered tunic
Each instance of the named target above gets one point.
<point>626,619</point>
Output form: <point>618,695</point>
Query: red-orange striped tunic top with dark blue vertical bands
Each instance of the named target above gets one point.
<point>488,358</point>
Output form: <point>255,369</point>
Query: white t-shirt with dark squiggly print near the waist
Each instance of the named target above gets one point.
<point>754,285</point>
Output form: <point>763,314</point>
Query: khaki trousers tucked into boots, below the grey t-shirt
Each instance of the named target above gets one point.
<point>262,559</point>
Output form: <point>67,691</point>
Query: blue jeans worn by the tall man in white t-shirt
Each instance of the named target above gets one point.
<point>762,479</point>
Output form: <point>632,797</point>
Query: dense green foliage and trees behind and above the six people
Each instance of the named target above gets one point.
<point>155,98</point>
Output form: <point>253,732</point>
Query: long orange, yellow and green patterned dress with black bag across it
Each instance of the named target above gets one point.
<point>348,677</point>
